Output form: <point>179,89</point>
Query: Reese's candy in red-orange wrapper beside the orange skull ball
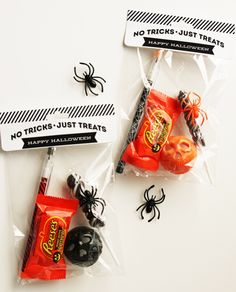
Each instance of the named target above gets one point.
<point>161,113</point>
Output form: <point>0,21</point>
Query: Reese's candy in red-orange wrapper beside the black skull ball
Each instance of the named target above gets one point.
<point>51,223</point>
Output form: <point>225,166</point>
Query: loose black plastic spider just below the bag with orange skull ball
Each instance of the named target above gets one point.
<point>151,204</point>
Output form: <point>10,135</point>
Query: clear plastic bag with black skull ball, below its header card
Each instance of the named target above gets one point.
<point>96,174</point>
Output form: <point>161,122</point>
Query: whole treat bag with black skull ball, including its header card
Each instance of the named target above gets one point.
<point>60,160</point>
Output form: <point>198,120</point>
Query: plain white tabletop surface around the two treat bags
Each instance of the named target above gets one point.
<point>192,248</point>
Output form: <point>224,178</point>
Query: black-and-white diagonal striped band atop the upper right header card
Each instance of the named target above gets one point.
<point>165,19</point>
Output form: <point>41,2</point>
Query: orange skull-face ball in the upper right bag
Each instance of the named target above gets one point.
<point>177,153</point>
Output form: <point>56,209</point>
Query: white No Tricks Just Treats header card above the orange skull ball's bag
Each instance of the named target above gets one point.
<point>178,33</point>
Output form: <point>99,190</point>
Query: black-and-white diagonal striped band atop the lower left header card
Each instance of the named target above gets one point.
<point>41,114</point>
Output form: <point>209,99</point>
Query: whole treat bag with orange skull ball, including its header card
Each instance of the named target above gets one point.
<point>171,94</point>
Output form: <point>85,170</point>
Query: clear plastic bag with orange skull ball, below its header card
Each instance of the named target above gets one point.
<point>173,119</point>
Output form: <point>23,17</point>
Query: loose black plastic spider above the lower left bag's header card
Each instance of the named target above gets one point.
<point>89,80</point>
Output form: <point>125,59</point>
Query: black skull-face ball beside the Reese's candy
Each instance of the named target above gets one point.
<point>83,246</point>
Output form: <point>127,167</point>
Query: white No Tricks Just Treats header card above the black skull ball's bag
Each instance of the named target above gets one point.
<point>58,126</point>
